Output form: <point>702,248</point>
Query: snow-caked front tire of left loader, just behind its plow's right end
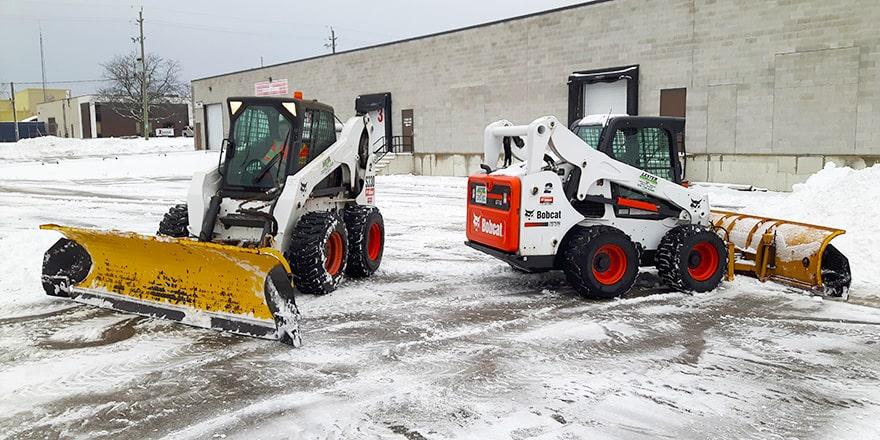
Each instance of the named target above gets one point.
<point>307,252</point>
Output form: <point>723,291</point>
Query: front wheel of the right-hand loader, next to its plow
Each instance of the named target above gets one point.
<point>676,254</point>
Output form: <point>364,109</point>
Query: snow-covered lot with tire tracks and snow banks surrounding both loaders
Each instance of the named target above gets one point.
<point>443,342</point>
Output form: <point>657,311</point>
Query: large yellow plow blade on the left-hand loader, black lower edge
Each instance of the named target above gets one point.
<point>228,288</point>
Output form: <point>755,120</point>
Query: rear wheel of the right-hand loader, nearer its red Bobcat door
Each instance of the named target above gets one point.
<point>580,257</point>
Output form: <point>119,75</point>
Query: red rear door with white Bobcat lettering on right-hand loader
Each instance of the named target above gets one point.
<point>493,211</point>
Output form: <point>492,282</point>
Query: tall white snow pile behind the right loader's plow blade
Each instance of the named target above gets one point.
<point>839,197</point>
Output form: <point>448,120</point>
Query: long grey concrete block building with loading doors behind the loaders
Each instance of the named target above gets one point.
<point>771,90</point>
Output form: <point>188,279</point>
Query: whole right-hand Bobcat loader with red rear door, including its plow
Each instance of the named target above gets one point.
<point>607,197</point>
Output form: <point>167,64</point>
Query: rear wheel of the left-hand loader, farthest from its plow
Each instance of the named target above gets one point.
<point>359,220</point>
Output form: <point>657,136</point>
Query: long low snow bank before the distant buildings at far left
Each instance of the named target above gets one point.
<point>51,147</point>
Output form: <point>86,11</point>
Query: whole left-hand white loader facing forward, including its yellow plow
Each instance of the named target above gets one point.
<point>289,207</point>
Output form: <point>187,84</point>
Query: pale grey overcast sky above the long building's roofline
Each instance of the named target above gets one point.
<point>210,37</point>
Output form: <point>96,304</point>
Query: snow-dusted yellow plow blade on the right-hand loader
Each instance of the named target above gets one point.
<point>797,254</point>
